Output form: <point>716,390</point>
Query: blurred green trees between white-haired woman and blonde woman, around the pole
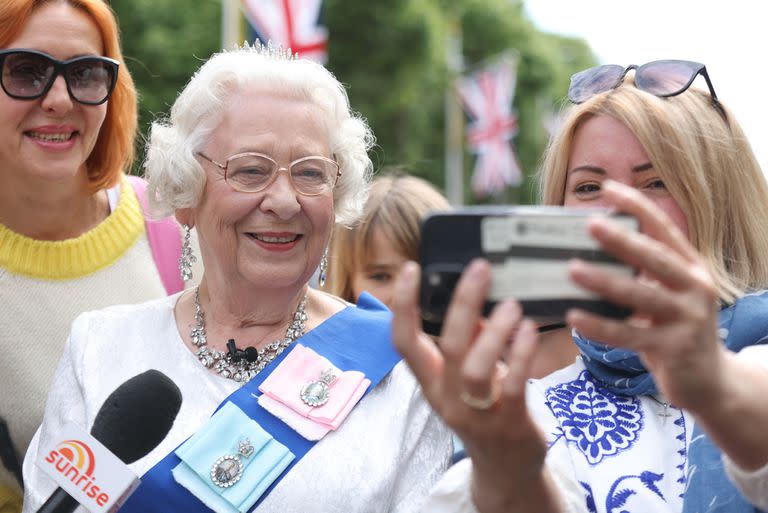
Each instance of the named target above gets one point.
<point>391,53</point>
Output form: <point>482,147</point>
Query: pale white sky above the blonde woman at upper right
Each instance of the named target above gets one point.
<point>729,37</point>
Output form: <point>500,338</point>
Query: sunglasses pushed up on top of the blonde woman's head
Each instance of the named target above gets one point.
<point>661,78</point>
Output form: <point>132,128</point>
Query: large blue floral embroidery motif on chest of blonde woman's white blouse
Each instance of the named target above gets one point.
<point>599,422</point>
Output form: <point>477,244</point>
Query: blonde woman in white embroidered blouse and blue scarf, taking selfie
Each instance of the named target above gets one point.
<point>633,424</point>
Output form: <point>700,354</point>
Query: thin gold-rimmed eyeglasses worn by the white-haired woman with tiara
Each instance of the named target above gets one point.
<point>254,172</point>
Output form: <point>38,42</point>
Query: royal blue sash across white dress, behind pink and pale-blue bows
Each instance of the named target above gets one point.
<point>357,338</point>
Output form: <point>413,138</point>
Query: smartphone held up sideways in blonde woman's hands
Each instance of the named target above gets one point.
<point>528,247</point>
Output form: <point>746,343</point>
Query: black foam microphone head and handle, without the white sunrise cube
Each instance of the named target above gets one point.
<point>133,420</point>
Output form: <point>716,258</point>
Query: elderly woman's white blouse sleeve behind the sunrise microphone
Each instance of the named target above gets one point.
<point>65,405</point>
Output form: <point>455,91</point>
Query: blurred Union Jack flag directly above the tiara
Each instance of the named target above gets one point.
<point>293,24</point>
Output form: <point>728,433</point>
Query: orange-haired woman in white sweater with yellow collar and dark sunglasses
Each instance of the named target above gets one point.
<point>72,233</point>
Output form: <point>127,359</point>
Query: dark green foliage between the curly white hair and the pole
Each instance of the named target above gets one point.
<point>389,53</point>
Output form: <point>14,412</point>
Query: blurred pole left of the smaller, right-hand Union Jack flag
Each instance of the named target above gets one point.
<point>454,116</point>
